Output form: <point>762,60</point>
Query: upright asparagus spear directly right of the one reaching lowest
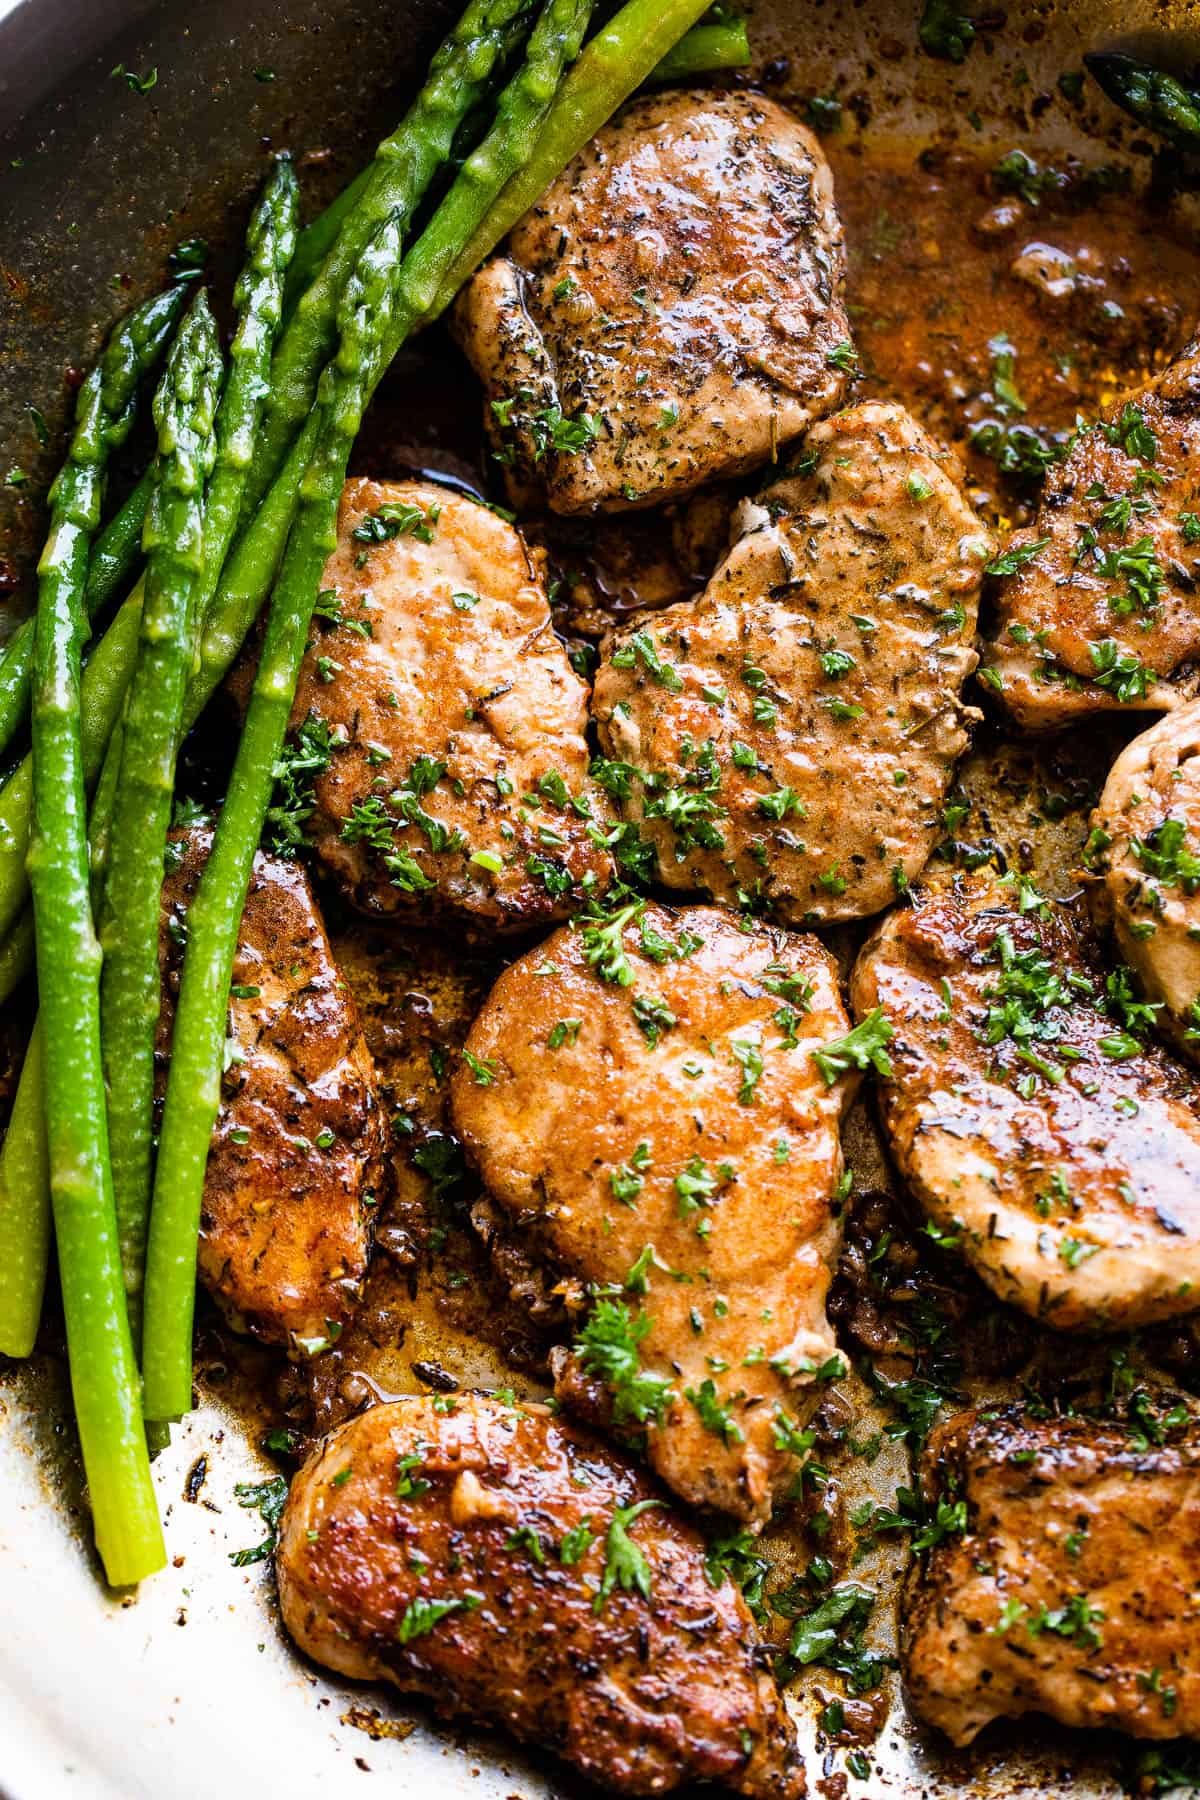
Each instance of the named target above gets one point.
<point>175,559</point>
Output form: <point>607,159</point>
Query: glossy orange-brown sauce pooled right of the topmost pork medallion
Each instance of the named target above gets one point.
<point>1089,289</point>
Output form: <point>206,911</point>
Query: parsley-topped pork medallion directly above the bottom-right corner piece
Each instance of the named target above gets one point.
<point>1028,1115</point>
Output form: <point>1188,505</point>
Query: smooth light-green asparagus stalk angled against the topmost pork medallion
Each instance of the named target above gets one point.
<point>613,66</point>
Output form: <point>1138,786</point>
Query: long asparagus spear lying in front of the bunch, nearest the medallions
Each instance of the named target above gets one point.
<point>215,915</point>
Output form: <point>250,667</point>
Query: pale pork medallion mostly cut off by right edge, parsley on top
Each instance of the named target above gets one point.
<point>1147,845</point>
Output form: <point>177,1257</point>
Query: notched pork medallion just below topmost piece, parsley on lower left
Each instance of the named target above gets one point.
<point>787,739</point>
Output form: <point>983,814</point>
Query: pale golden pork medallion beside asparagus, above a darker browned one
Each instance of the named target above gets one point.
<point>443,721</point>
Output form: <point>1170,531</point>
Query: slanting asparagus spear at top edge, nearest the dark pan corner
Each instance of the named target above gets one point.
<point>404,166</point>
